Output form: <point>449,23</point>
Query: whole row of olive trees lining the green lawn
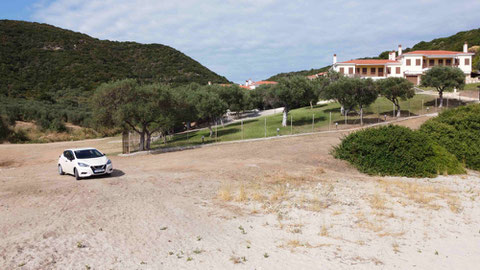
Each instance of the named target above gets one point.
<point>161,108</point>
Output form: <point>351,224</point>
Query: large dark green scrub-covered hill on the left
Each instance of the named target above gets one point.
<point>38,59</point>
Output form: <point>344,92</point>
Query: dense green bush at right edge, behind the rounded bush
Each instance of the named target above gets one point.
<point>458,130</point>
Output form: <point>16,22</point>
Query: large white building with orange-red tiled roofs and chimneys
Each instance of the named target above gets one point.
<point>409,65</point>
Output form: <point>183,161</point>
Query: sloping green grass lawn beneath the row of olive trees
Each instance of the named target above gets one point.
<point>301,120</point>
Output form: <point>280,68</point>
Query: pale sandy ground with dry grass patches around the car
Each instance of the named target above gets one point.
<point>276,204</point>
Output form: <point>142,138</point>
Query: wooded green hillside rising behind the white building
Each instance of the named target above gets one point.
<point>451,43</point>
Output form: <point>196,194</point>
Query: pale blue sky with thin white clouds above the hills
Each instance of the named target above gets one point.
<point>255,39</point>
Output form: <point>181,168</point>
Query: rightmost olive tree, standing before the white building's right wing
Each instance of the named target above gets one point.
<point>443,78</point>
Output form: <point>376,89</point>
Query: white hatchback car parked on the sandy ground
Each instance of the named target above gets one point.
<point>84,162</point>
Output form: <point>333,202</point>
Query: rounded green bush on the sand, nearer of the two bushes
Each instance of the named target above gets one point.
<point>397,151</point>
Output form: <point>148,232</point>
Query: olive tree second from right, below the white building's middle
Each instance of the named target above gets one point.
<point>396,89</point>
